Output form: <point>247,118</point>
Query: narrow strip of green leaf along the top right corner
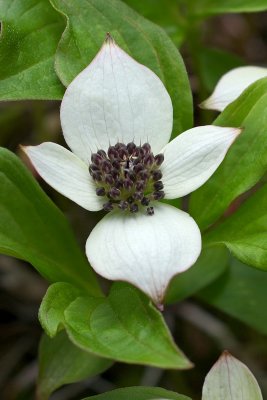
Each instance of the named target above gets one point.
<point>204,8</point>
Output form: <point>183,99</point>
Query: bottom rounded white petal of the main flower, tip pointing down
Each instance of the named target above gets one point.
<point>146,251</point>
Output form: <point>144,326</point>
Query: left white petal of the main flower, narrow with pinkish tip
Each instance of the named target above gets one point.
<point>66,173</point>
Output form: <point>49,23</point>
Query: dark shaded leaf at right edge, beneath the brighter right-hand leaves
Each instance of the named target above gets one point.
<point>241,293</point>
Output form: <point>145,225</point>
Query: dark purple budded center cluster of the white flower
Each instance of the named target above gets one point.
<point>128,176</point>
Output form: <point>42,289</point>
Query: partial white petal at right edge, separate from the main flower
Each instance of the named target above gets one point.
<point>231,85</point>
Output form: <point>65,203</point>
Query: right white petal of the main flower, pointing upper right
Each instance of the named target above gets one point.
<point>192,157</point>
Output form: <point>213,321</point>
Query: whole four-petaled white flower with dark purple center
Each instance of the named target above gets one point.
<point>112,103</point>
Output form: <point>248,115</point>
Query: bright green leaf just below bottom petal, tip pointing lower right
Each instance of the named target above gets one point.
<point>125,327</point>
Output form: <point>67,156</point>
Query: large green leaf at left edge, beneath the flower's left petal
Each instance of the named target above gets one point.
<point>34,230</point>
